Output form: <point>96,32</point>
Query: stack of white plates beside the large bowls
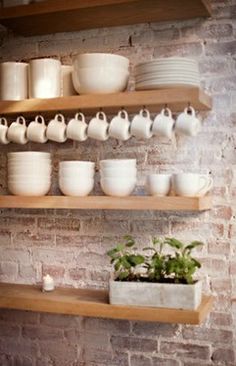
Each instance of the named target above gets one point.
<point>167,73</point>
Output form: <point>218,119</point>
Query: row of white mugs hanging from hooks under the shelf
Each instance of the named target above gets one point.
<point>120,127</point>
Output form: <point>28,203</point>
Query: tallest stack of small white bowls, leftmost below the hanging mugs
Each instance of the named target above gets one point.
<point>29,173</point>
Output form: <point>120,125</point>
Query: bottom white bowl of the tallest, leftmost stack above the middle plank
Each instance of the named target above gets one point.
<point>29,189</point>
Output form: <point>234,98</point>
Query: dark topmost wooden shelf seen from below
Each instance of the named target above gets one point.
<point>53,16</point>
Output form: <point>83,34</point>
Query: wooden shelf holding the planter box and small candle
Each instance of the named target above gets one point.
<point>93,303</point>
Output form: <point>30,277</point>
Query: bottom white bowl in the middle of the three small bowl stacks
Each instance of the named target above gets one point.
<point>80,188</point>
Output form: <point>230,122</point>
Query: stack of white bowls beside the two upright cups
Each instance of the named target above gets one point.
<point>118,176</point>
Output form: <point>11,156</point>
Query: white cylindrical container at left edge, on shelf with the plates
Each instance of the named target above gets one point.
<point>13,81</point>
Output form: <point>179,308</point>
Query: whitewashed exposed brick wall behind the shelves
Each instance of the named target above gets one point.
<point>71,245</point>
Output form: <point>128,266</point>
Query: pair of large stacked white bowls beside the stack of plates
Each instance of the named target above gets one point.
<point>100,73</point>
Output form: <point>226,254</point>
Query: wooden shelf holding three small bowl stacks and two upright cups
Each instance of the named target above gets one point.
<point>109,203</point>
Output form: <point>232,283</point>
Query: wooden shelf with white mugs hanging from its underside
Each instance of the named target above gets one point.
<point>154,100</point>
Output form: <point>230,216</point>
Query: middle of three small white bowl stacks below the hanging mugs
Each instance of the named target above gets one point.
<point>76,178</point>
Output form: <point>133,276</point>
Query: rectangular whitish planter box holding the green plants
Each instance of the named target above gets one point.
<point>173,296</point>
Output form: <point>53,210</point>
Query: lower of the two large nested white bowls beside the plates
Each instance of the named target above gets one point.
<point>99,80</point>
